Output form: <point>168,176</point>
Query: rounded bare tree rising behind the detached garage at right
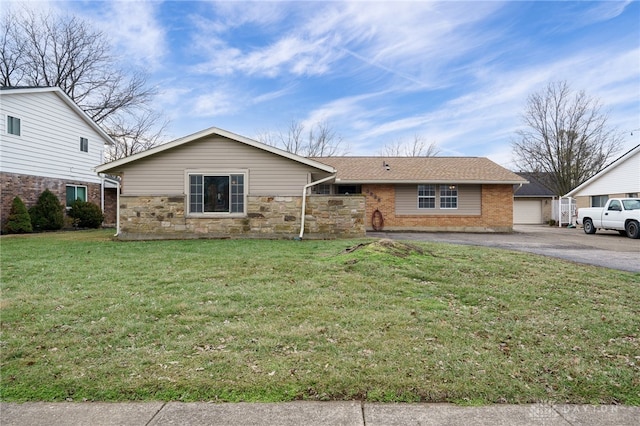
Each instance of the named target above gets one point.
<point>567,139</point>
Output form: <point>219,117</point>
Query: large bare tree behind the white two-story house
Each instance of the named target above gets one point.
<point>48,50</point>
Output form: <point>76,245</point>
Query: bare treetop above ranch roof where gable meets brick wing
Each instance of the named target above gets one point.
<point>319,140</point>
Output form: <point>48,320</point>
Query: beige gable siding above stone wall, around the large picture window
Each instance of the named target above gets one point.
<point>164,172</point>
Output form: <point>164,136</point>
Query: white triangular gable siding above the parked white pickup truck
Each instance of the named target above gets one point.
<point>622,178</point>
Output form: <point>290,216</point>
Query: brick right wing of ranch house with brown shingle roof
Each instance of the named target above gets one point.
<point>467,194</point>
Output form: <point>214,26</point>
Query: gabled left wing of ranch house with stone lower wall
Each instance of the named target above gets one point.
<point>215,184</point>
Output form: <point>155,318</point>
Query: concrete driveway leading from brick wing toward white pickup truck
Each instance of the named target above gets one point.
<point>605,248</point>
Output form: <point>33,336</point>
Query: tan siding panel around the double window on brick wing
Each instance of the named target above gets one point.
<point>469,201</point>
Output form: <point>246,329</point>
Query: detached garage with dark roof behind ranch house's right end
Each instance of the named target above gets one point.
<point>533,203</point>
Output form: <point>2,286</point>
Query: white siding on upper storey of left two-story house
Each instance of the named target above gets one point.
<point>49,141</point>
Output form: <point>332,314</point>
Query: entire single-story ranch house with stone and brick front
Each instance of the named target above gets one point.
<point>217,184</point>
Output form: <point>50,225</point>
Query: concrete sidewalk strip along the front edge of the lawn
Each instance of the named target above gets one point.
<point>312,413</point>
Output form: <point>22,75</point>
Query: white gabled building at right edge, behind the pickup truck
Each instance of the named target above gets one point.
<point>621,178</point>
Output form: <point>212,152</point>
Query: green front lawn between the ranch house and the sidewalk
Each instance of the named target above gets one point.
<point>87,318</point>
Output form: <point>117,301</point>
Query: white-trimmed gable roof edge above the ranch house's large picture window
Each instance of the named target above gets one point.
<point>206,133</point>
